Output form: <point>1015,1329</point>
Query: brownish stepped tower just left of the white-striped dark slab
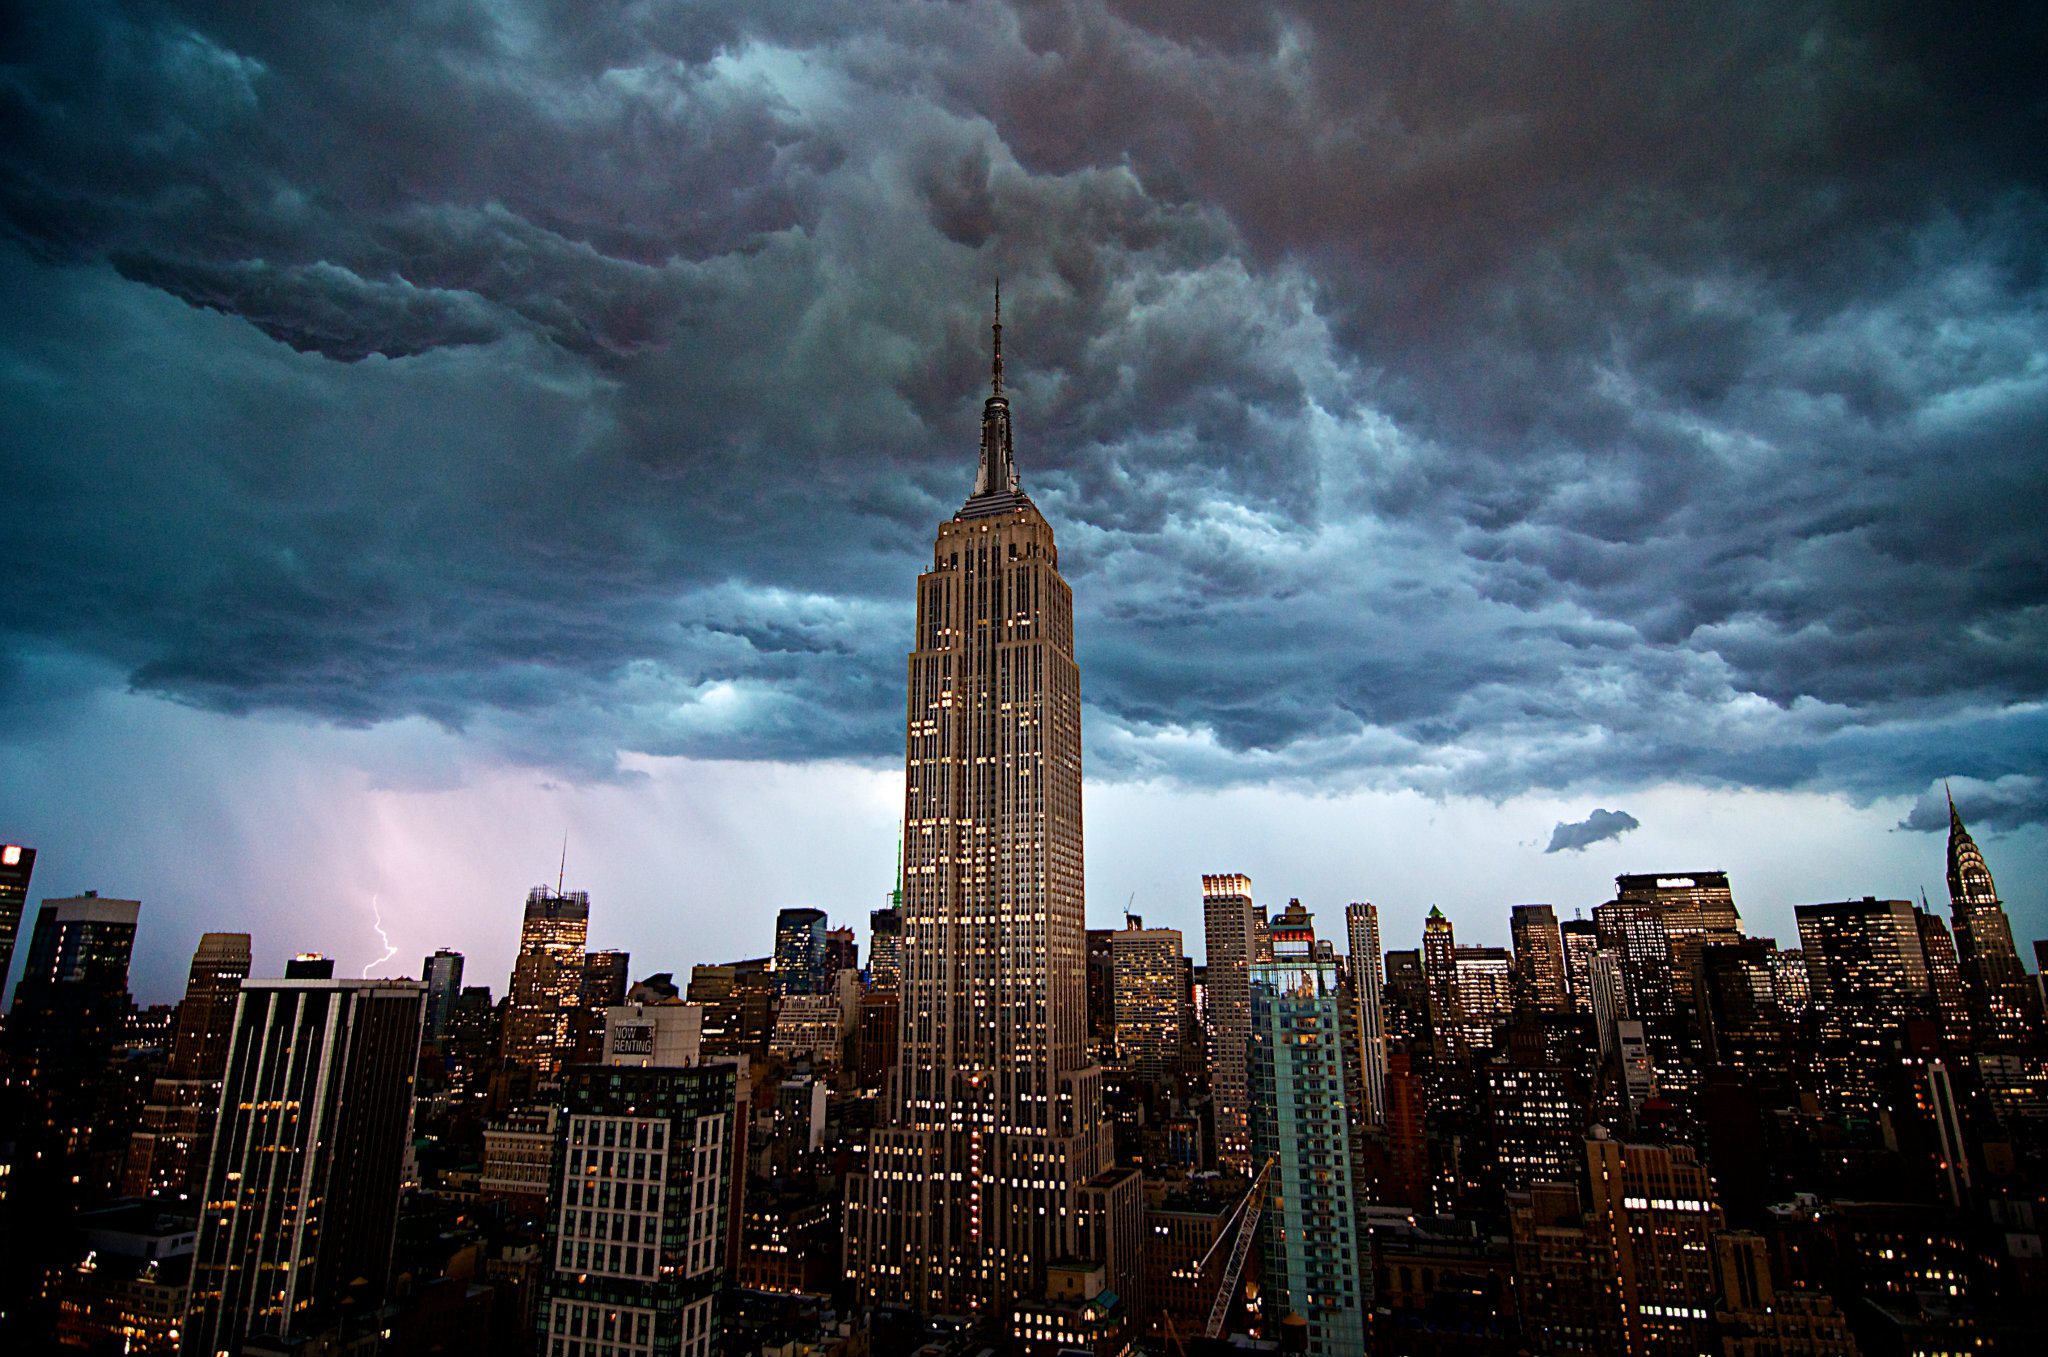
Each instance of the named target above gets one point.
<point>169,1153</point>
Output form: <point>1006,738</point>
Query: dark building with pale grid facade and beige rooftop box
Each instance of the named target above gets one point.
<point>646,1159</point>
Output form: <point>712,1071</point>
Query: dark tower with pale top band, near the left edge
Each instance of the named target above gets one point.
<point>69,1012</point>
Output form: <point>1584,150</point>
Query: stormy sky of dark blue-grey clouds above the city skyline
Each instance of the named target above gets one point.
<point>435,429</point>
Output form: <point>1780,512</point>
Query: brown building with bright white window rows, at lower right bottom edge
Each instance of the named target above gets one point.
<point>1654,1213</point>
